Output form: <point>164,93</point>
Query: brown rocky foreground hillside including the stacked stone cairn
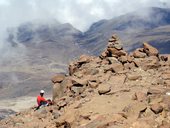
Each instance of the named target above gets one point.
<point>114,90</point>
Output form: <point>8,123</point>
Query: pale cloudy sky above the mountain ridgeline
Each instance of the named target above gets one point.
<point>80,13</point>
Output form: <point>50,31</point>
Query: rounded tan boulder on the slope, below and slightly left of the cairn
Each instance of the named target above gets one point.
<point>103,89</point>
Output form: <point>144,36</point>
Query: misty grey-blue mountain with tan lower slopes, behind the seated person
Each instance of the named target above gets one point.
<point>41,50</point>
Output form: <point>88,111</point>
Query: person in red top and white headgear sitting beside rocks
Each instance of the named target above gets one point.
<point>41,101</point>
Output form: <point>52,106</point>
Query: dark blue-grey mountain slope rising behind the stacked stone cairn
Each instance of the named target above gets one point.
<point>148,24</point>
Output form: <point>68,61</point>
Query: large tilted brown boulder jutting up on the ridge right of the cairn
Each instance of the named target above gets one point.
<point>150,50</point>
